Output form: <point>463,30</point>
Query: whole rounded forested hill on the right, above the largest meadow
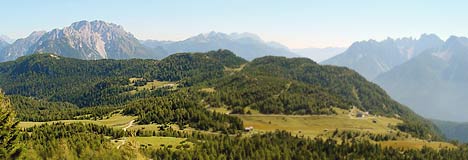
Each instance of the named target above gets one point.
<point>299,85</point>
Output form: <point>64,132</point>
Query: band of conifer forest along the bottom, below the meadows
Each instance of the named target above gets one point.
<point>89,141</point>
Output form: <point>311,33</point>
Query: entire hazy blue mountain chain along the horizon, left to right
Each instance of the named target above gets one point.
<point>394,64</point>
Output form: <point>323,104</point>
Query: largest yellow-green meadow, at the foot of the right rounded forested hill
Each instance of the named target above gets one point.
<point>314,125</point>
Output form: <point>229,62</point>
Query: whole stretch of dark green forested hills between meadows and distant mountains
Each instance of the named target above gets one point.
<point>269,84</point>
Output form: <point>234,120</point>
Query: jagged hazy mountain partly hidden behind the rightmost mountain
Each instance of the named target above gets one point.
<point>371,58</point>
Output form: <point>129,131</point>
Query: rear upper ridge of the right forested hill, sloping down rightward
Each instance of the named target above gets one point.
<point>347,85</point>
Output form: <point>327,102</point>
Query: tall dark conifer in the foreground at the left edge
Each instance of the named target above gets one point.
<point>9,134</point>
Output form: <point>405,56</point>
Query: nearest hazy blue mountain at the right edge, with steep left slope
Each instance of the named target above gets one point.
<point>435,83</point>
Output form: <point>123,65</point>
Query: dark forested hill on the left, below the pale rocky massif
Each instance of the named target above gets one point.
<point>96,82</point>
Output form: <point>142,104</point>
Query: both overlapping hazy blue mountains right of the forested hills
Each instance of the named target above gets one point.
<point>427,74</point>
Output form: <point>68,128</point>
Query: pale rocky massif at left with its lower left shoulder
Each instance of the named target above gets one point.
<point>84,40</point>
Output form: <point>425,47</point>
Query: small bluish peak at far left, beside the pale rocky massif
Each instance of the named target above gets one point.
<point>20,47</point>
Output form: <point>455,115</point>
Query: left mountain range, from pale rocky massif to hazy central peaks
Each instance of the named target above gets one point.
<point>91,40</point>
